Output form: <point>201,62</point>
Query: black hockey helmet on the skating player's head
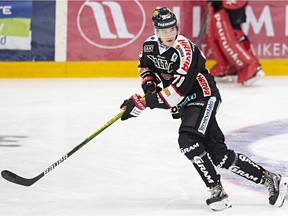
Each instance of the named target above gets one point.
<point>164,18</point>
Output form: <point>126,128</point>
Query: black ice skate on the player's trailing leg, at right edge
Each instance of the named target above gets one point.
<point>277,187</point>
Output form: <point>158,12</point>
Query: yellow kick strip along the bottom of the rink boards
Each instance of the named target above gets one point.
<point>102,69</point>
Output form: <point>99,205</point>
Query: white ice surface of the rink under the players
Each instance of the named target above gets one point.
<point>133,168</point>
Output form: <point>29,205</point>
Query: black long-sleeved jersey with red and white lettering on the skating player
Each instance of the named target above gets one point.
<point>181,69</point>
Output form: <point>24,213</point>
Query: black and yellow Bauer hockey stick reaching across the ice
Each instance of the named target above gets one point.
<point>14,178</point>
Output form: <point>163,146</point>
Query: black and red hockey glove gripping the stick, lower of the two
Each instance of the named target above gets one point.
<point>133,107</point>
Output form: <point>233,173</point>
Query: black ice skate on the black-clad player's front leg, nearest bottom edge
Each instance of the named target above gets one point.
<point>219,198</point>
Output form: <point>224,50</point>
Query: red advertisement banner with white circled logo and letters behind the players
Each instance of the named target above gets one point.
<point>116,30</point>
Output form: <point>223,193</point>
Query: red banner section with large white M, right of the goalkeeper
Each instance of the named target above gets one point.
<point>267,28</point>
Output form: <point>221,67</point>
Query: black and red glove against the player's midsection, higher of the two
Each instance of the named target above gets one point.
<point>149,83</point>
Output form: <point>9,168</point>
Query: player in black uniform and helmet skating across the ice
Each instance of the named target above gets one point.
<point>173,61</point>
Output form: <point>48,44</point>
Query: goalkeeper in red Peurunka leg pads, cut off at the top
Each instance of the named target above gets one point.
<point>230,46</point>
